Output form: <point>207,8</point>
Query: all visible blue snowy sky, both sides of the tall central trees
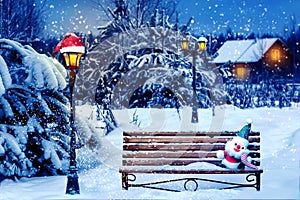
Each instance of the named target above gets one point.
<point>210,16</point>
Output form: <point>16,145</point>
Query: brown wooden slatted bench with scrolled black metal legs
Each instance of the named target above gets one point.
<point>150,152</point>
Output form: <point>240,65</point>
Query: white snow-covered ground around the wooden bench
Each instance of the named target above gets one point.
<point>280,146</point>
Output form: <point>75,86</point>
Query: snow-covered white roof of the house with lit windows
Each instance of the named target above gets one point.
<point>243,51</point>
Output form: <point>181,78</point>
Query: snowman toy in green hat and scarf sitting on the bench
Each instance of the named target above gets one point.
<point>236,153</point>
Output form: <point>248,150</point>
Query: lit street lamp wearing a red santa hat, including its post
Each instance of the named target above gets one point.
<point>72,49</point>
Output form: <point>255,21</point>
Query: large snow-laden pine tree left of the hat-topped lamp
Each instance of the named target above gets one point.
<point>34,117</point>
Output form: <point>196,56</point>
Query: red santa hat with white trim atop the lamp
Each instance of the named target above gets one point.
<point>70,43</point>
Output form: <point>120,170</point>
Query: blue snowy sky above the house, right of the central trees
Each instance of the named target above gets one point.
<point>259,16</point>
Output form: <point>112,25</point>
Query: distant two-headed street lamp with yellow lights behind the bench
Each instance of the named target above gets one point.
<point>202,41</point>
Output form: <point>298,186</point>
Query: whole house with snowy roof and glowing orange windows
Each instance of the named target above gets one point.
<point>255,60</point>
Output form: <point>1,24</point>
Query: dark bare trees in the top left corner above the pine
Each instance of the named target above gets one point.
<point>21,19</point>
